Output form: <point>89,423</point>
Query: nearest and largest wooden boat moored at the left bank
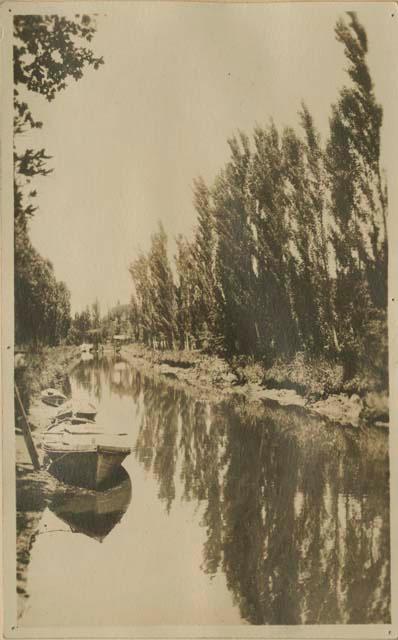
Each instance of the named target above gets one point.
<point>84,454</point>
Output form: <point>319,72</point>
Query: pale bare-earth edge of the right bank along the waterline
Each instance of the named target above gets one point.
<point>213,378</point>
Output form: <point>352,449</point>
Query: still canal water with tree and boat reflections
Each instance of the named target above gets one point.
<point>226,514</point>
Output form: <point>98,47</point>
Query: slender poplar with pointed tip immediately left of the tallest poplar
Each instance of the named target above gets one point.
<point>310,265</point>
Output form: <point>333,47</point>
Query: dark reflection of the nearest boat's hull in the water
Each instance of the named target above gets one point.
<point>94,513</point>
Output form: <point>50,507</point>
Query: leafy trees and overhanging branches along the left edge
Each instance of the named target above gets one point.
<point>49,51</point>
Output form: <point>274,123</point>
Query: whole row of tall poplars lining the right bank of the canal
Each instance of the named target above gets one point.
<point>290,248</point>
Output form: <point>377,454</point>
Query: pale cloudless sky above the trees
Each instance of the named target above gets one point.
<point>178,81</point>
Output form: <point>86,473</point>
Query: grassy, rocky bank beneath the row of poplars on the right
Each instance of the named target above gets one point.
<point>318,385</point>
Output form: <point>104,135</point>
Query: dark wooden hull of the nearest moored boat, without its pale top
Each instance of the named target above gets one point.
<point>89,469</point>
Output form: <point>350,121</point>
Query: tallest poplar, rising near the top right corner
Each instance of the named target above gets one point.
<point>358,202</point>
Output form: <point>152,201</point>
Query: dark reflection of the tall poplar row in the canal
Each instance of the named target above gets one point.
<point>295,510</point>
